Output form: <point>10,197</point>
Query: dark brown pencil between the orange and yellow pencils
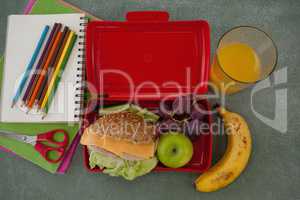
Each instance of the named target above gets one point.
<point>54,59</point>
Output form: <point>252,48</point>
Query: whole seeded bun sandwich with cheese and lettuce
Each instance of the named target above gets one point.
<point>122,141</point>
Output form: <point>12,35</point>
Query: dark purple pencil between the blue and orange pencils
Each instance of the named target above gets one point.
<point>39,65</point>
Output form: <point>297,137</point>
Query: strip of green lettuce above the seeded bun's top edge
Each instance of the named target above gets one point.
<point>143,112</point>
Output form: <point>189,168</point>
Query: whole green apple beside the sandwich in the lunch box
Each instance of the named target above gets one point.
<point>174,149</point>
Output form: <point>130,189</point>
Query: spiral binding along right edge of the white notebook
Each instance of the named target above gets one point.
<point>80,75</point>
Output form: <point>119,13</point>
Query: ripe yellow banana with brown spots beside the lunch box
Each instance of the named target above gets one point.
<point>235,158</point>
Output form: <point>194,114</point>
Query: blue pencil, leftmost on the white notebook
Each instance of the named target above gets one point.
<point>30,65</point>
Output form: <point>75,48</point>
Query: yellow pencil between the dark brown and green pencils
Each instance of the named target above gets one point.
<point>57,70</point>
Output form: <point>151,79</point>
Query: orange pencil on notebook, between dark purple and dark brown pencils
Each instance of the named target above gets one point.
<point>44,71</point>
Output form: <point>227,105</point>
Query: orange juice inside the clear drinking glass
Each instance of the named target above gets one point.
<point>235,66</point>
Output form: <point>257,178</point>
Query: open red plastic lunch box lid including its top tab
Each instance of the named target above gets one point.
<point>147,56</point>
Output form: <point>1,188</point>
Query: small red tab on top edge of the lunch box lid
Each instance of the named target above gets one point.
<point>147,16</point>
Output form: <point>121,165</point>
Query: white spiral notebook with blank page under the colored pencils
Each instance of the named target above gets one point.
<point>23,32</point>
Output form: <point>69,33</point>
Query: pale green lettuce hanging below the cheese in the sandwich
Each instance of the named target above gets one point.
<point>116,166</point>
